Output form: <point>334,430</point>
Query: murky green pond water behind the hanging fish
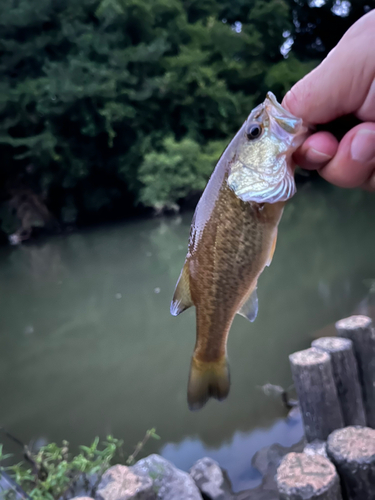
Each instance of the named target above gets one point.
<point>88,347</point>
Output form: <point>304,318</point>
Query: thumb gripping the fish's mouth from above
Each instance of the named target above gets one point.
<point>341,83</point>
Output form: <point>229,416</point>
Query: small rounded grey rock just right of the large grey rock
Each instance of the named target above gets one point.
<point>211,480</point>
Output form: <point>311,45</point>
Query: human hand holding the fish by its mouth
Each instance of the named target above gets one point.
<point>344,83</point>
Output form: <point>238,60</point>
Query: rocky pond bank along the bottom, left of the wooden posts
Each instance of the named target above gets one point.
<point>155,478</point>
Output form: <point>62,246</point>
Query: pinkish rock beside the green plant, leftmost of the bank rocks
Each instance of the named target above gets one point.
<point>121,483</point>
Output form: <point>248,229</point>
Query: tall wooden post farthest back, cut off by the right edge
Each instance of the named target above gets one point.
<point>360,331</point>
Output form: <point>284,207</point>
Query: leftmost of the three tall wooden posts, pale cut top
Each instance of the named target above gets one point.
<point>317,394</point>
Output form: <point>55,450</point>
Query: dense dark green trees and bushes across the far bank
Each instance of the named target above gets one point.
<point>106,104</point>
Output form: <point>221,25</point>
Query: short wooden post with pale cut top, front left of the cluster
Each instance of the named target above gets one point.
<point>303,477</point>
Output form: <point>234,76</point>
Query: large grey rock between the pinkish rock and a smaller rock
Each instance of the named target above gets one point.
<point>170,483</point>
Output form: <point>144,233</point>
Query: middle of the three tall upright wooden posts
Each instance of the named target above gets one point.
<point>345,374</point>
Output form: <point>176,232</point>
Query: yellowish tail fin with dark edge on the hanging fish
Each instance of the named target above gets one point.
<point>207,380</point>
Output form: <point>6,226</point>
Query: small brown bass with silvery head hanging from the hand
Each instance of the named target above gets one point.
<point>233,237</point>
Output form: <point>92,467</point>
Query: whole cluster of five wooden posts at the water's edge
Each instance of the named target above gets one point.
<point>335,384</point>
